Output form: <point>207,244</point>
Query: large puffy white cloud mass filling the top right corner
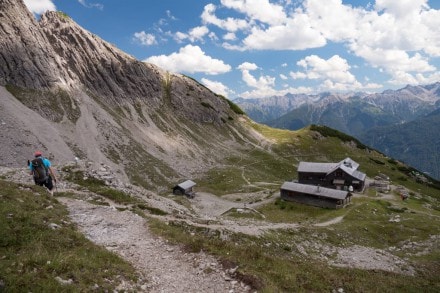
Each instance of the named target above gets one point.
<point>396,36</point>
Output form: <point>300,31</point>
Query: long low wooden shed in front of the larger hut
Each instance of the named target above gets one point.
<point>315,195</point>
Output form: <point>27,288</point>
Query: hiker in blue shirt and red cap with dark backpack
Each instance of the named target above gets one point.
<point>42,171</point>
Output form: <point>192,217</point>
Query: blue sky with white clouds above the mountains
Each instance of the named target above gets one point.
<point>263,48</point>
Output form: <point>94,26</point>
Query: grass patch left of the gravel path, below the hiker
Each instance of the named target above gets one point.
<point>33,255</point>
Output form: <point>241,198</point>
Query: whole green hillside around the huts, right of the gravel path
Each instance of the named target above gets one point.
<point>296,260</point>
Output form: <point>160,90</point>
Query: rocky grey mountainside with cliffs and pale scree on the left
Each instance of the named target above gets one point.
<point>69,93</point>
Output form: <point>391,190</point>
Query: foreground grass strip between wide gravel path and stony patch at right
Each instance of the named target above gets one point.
<point>269,263</point>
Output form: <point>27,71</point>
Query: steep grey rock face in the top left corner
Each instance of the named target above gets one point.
<point>26,57</point>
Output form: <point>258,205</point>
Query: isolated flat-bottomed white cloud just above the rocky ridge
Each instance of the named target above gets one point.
<point>190,59</point>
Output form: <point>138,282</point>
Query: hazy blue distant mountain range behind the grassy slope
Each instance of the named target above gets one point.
<point>387,121</point>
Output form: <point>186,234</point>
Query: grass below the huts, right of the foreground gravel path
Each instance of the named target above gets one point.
<point>272,263</point>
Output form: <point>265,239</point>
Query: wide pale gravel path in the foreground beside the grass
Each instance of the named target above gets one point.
<point>165,267</point>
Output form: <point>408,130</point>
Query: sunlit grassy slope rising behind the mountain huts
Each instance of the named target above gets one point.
<point>277,162</point>
